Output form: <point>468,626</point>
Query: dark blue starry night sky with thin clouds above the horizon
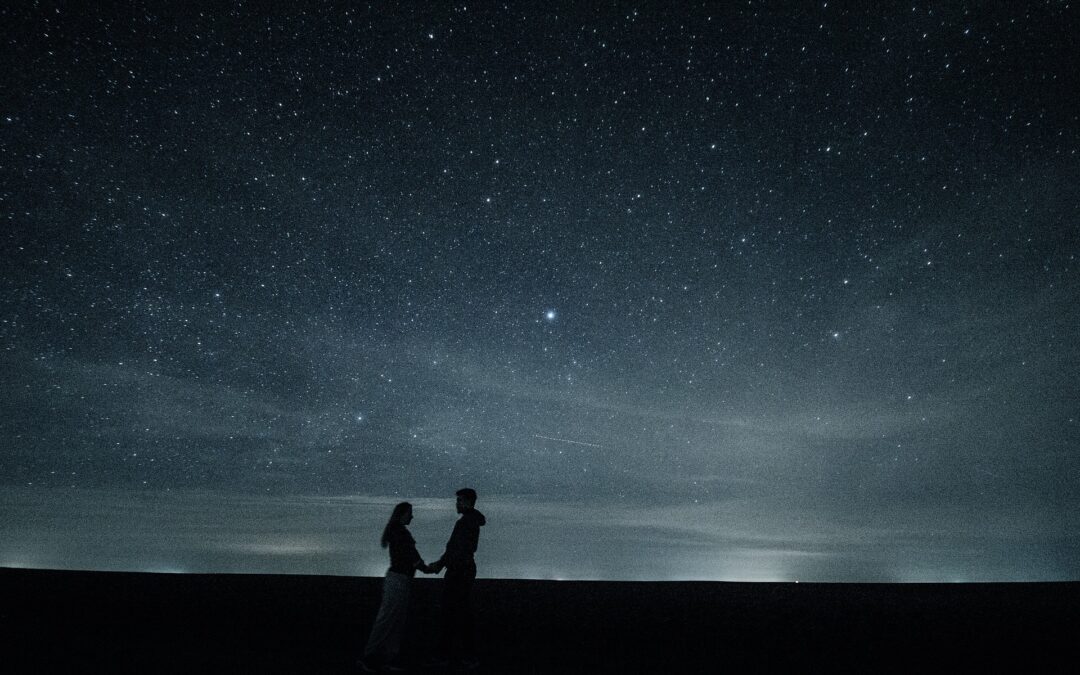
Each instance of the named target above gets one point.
<point>733,291</point>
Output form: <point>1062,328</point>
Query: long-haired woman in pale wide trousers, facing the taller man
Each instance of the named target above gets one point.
<point>386,639</point>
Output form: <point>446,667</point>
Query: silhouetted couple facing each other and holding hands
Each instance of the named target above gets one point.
<point>384,644</point>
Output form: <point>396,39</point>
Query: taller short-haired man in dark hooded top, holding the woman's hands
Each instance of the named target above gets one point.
<point>461,573</point>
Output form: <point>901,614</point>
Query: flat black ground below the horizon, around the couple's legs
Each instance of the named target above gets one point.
<point>75,623</point>
